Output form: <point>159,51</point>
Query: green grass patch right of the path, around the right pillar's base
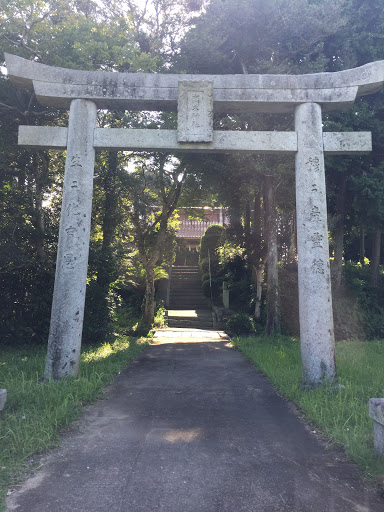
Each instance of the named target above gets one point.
<point>341,413</point>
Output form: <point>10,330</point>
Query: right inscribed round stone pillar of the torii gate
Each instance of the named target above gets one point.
<point>315,295</point>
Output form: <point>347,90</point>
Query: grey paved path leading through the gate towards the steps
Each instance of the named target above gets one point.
<point>190,426</point>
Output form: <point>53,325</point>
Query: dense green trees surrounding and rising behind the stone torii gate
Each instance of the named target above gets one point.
<point>216,36</point>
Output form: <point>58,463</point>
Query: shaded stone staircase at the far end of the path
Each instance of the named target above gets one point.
<point>188,307</point>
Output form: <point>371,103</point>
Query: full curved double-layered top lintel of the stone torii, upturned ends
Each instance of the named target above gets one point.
<point>232,93</point>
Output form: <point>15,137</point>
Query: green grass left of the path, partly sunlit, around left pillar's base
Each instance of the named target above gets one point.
<point>35,412</point>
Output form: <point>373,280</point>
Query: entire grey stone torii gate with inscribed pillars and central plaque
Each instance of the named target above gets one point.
<point>195,97</point>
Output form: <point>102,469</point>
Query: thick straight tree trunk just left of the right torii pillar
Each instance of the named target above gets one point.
<point>273,324</point>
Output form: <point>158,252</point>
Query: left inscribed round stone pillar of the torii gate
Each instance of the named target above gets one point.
<point>67,314</point>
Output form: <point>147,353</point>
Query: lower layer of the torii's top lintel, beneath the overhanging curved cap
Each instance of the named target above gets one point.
<point>165,98</point>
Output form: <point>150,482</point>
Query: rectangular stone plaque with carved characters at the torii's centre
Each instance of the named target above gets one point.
<point>195,112</point>
